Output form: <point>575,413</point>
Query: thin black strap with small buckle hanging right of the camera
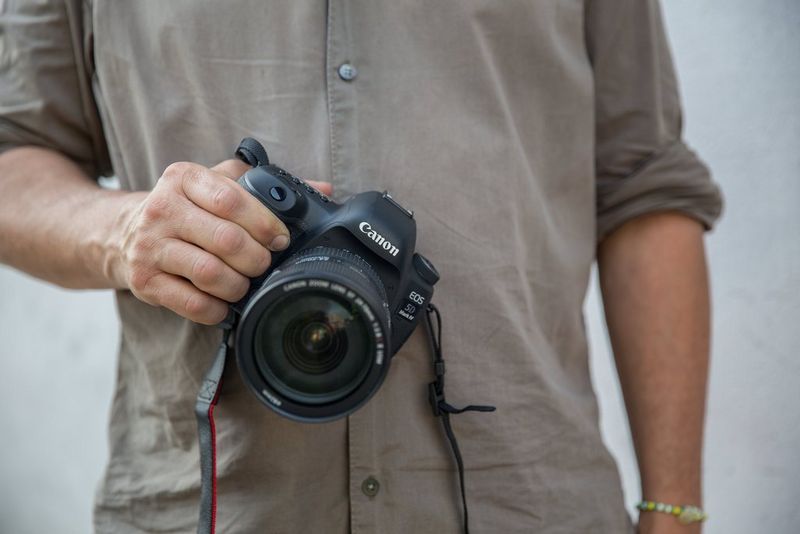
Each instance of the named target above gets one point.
<point>440,406</point>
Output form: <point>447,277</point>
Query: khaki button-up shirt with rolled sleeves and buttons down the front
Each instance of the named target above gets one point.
<point>520,133</point>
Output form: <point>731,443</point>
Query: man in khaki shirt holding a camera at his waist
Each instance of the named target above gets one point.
<point>529,137</point>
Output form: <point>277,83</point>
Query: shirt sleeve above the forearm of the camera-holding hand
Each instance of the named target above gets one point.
<point>45,85</point>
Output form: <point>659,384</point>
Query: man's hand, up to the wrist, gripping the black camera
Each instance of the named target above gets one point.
<point>194,241</point>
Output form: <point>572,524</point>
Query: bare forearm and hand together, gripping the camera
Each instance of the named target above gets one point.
<point>189,245</point>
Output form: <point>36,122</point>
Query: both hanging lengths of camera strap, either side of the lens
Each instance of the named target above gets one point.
<point>208,396</point>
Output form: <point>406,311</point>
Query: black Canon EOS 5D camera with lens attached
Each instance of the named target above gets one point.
<point>315,333</point>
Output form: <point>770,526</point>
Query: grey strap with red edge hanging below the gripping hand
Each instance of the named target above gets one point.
<point>204,412</point>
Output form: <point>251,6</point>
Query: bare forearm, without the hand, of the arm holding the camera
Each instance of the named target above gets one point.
<point>55,222</point>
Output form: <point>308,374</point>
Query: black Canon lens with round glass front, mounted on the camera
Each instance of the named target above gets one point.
<point>312,343</point>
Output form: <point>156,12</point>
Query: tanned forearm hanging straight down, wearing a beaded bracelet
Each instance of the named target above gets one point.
<point>654,282</point>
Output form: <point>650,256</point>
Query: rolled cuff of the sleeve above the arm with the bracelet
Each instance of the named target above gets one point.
<point>674,179</point>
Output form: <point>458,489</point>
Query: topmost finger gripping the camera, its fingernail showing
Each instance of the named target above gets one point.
<point>216,193</point>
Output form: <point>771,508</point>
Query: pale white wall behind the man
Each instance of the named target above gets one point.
<point>739,63</point>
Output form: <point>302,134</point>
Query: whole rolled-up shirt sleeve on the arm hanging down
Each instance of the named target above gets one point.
<point>642,163</point>
